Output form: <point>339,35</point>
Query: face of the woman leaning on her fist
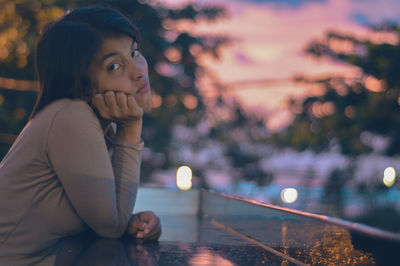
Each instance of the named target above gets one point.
<point>119,66</point>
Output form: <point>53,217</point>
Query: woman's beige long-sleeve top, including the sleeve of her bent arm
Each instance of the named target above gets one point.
<point>58,178</point>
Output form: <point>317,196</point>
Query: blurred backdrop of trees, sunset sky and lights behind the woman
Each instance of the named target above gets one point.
<point>289,102</point>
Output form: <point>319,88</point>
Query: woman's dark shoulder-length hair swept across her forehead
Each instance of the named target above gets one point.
<point>66,48</point>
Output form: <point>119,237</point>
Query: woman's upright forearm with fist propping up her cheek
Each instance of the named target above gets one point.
<point>126,158</point>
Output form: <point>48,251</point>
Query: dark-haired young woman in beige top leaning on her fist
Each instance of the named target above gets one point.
<point>70,169</point>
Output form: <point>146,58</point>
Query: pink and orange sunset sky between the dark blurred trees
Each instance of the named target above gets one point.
<point>270,36</point>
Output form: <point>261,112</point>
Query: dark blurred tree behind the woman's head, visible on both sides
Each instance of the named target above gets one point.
<point>172,54</point>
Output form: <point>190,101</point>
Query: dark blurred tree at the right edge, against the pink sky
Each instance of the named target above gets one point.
<point>355,114</point>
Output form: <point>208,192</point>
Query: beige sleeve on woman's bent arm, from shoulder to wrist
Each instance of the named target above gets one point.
<point>102,191</point>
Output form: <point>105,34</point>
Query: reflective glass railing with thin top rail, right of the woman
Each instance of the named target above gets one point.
<point>294,236</point>
